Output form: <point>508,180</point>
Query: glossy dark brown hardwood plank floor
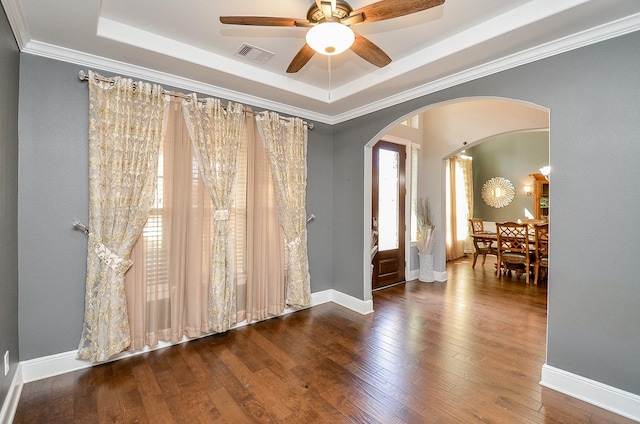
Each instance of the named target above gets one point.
<point>468,350</point>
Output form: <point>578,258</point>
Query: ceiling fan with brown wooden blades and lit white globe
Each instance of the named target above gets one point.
<point>330,33</point>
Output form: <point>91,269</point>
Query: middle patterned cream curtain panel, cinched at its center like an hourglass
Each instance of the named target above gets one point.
<point>216,136</point>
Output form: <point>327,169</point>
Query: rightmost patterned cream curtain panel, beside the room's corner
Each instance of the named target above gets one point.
<point>286,144</point>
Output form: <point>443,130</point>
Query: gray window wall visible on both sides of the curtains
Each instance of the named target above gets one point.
<point>53,187</point>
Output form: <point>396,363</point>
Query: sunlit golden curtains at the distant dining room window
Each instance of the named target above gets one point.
<point>459,205</point>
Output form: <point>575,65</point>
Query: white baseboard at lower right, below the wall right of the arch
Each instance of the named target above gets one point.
<point>593,392</point>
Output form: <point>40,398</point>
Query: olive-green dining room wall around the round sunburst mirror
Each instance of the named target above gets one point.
<point>512,156</point>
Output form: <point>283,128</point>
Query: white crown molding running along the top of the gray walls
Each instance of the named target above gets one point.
<point>591,36</point>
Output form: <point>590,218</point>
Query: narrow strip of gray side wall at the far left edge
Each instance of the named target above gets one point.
<point>9,69</point>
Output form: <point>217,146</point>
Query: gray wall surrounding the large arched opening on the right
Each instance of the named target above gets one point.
<point>593,94</point>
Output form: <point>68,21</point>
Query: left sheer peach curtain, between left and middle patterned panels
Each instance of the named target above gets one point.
<point>167,286</point>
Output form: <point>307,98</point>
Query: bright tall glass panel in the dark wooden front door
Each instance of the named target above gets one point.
<point>388,188</point>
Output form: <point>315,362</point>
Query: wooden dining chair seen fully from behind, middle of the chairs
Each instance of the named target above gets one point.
<point>513,248</point>
